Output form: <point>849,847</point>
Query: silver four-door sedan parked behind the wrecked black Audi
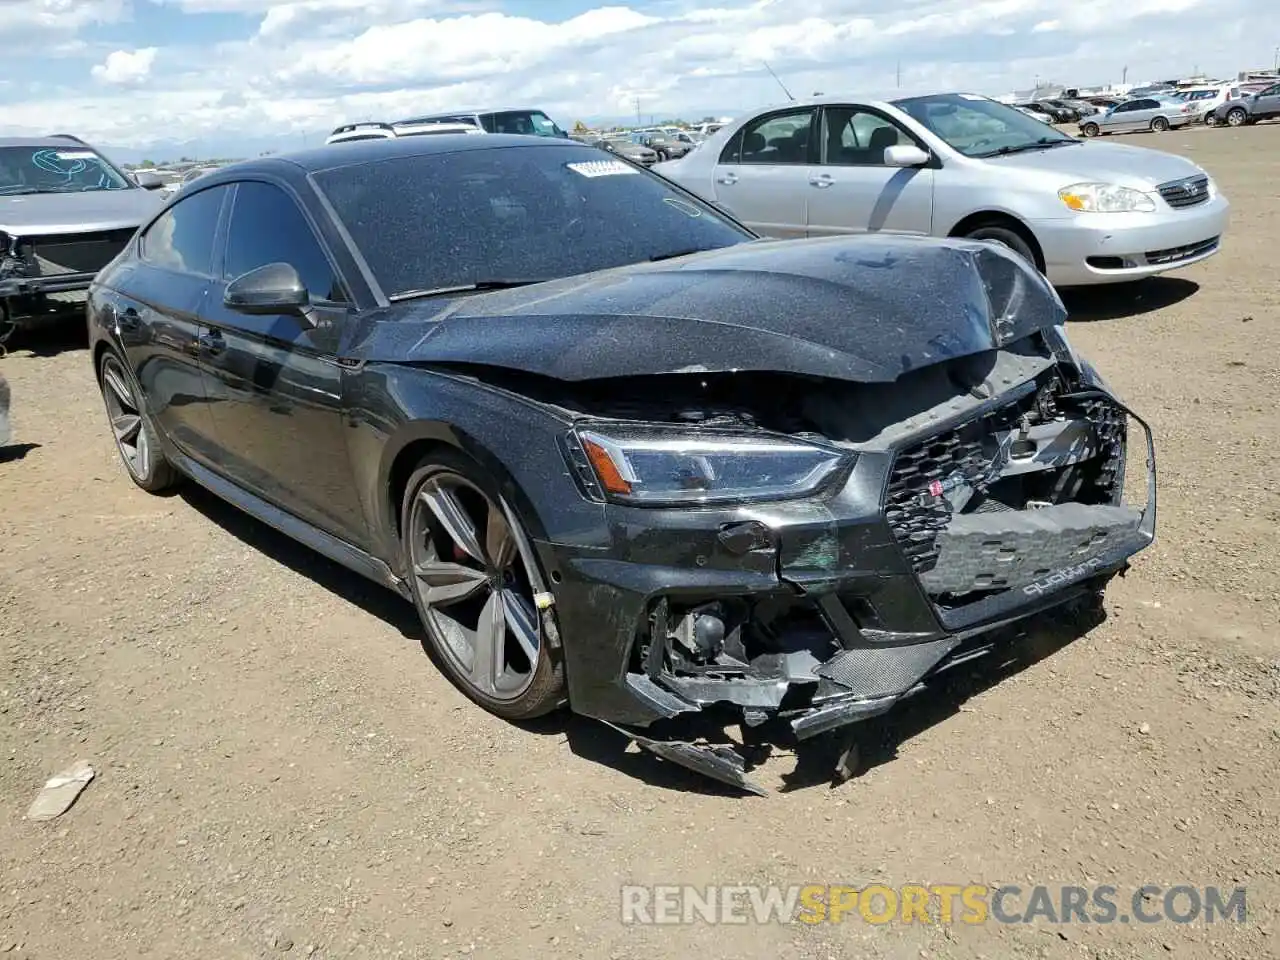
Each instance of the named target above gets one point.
<point>961,166</point>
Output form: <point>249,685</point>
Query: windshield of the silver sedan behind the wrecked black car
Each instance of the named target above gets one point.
<point>980,127</point>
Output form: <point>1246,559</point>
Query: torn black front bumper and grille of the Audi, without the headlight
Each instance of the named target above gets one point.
<point>831,611</point>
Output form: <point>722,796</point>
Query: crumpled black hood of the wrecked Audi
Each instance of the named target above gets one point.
<point>863,309</point>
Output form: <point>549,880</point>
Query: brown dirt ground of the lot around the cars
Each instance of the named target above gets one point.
<point>281,769</point>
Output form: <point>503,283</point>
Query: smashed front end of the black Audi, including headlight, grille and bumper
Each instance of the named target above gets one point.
<point>968,497</point>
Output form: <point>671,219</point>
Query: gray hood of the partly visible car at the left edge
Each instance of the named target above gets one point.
<point>34,214</point>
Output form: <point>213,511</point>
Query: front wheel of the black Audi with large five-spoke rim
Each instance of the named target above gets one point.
<point>477,583</point>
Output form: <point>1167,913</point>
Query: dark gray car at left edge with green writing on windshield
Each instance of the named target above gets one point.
<point>66,212</point>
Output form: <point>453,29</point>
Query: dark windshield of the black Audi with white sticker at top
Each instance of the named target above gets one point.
<point>472,217</point>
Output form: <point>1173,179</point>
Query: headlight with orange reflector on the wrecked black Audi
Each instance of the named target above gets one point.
<point>666,467</point>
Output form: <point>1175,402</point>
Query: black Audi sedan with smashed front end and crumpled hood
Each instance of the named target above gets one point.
<point>621,454</point>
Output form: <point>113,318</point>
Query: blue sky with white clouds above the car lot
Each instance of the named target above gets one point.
<point>136,74</point>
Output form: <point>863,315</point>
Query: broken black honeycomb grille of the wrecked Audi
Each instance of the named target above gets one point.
<point>917,515</point>
